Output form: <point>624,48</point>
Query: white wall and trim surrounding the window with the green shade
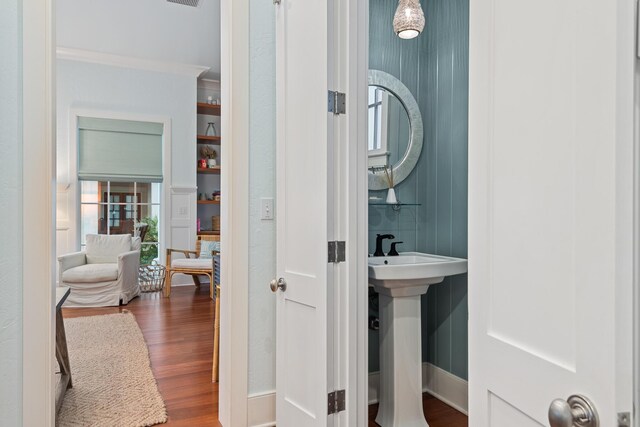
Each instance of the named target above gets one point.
<point>106,88</point>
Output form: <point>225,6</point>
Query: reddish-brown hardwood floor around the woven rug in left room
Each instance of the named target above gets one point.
<point>179,334</point>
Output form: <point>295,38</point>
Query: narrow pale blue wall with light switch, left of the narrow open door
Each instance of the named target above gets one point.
<point>262,244</point>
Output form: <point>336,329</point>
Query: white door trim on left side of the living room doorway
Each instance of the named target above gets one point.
<point>38,204</point>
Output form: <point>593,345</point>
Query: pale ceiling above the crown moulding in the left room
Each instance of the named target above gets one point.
<point>149,29</point>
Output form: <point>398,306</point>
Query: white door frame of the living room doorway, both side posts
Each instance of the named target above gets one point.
<point>39,177</point>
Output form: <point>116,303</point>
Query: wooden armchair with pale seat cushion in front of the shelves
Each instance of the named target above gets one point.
<point>192,265</point>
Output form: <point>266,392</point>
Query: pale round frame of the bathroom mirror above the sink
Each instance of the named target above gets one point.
<point>407,163</point>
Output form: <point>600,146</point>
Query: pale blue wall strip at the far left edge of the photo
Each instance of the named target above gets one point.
<point>10,214</point>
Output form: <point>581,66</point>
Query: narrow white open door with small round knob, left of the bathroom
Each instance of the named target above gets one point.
<point>302,206</point>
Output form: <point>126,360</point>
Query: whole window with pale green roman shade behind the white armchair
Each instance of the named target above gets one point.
<point>120,173</point>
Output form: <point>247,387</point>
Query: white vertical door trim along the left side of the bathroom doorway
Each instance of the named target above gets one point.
<point>357,297</point>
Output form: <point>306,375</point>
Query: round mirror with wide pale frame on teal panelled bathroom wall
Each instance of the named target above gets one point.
<point>395,129</point>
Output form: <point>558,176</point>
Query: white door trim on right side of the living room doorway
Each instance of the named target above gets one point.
<point>234,208</point>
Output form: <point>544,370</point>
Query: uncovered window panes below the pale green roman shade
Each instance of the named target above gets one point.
<point>108,207</point>
